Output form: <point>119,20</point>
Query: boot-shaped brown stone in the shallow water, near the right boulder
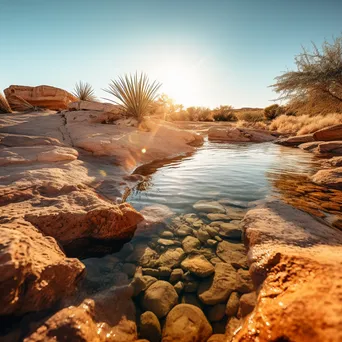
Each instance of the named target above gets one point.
<point>217,289</point>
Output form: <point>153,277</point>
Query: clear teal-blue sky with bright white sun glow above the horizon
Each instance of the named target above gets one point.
<point>204,52</point>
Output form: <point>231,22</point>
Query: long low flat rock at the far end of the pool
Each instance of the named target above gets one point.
<point>235,134</point>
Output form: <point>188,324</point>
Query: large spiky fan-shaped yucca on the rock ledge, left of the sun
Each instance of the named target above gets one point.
<point>134,93</point>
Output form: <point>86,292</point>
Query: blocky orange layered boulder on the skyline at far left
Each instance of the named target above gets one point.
<point>41,96</point>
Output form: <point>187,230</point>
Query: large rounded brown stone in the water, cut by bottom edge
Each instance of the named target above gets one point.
<point>186,323</point>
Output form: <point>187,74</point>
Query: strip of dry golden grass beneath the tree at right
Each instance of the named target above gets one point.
<point>304,124</point>
